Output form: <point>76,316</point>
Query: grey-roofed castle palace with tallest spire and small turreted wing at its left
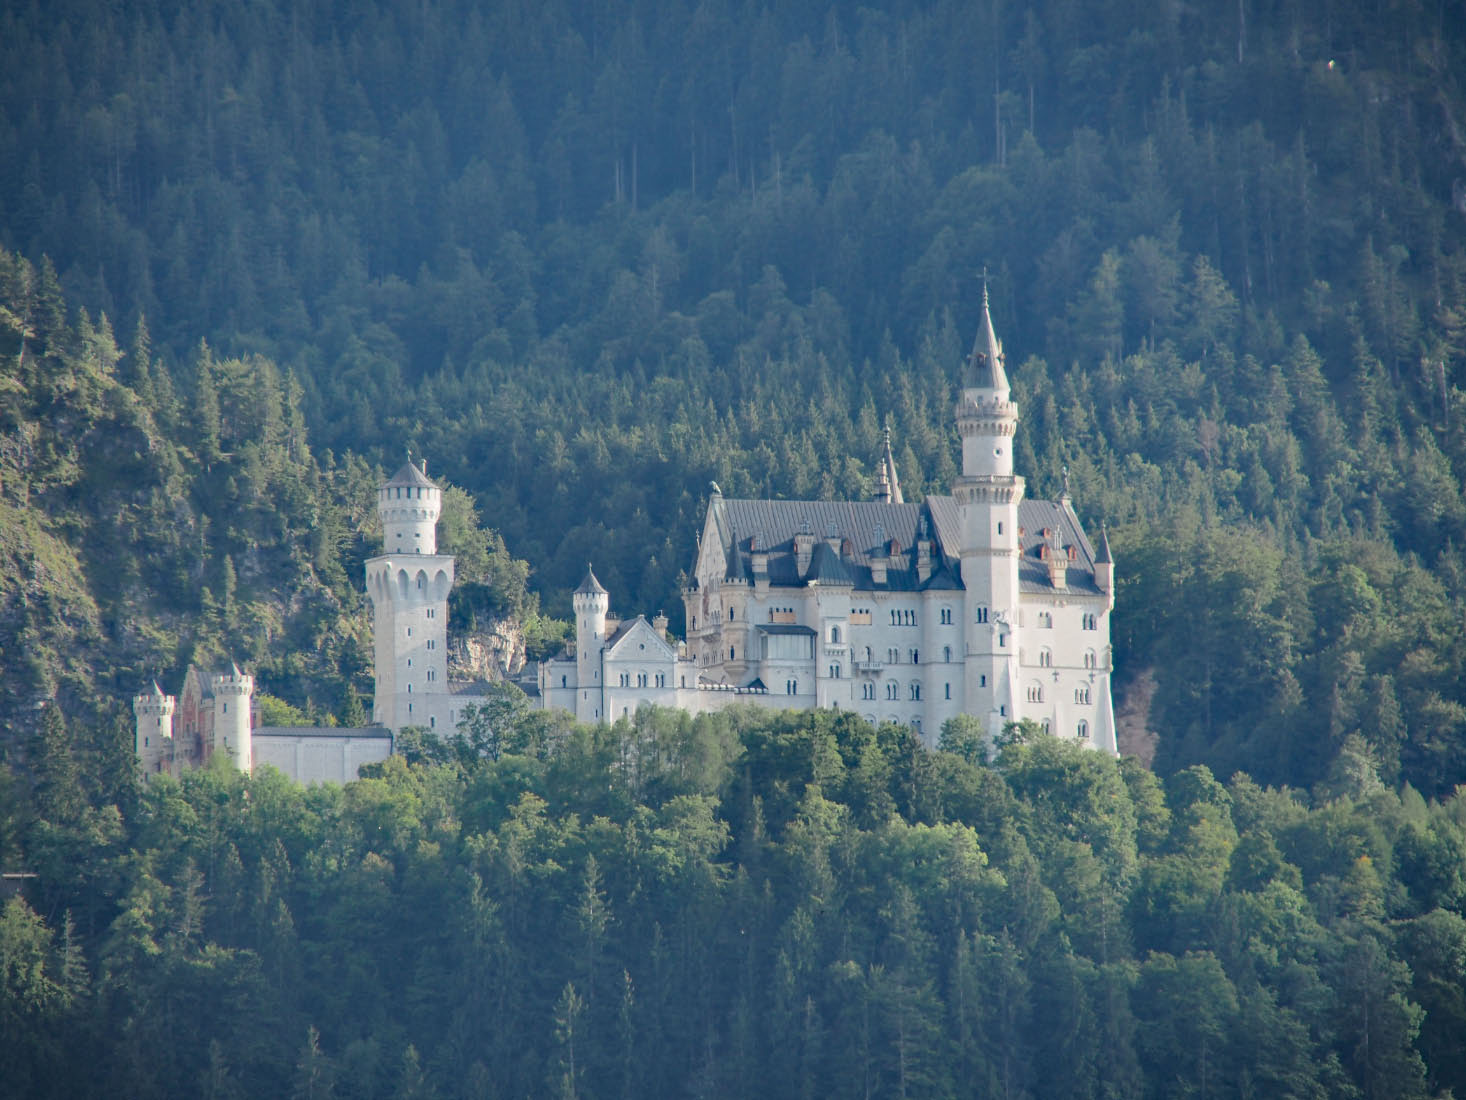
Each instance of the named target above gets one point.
<point>976,604</point>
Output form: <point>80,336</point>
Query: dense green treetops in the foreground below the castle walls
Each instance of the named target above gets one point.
<point>737,906</point>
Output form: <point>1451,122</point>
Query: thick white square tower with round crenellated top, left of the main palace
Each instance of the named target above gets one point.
<point>410,589</point>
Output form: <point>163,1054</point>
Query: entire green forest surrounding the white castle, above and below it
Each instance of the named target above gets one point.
<point>587,259</point>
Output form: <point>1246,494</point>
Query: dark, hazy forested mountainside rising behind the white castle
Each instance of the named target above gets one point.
<point>589,257</point>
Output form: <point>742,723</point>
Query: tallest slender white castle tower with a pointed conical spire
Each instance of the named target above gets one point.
<point>987,496</point>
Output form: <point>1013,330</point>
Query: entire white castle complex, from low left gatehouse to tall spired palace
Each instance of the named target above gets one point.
<point>976,604</point>
